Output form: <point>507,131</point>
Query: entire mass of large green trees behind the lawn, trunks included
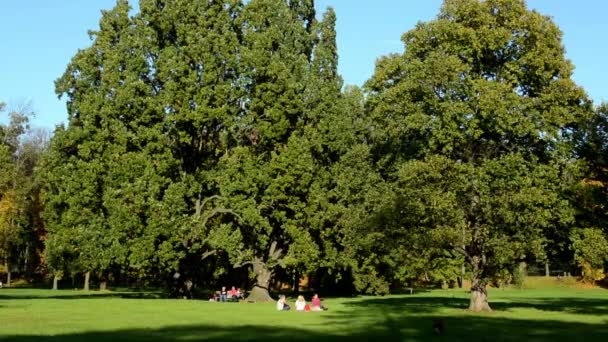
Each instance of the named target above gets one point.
<point>208,139</point>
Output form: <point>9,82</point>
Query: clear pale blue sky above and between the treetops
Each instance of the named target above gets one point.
<point>39,37</point>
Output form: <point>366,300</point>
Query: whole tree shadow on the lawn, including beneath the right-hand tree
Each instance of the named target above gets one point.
<point>382,319</point>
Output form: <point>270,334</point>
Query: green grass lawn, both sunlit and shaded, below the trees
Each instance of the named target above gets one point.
<point>554,315</point>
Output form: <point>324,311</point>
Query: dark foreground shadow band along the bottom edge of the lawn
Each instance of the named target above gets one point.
<point>473,328</point>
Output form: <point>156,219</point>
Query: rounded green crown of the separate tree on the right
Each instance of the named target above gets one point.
<point>474,119</point>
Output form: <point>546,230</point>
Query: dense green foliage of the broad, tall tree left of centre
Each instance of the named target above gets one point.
<point>193,134</point>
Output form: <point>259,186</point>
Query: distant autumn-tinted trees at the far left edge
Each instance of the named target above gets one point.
<point>21,226</point>
